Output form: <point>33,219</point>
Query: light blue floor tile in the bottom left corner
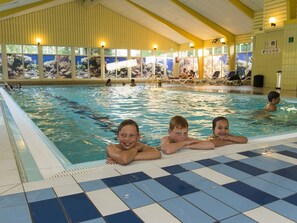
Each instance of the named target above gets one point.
<point>15,214</point>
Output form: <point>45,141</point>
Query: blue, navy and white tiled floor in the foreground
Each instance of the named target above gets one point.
<point>258,185</point>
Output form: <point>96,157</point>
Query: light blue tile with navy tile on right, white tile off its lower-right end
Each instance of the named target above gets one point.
<point>232,199</point>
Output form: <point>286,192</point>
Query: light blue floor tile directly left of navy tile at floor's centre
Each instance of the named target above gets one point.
<point>155,190</point>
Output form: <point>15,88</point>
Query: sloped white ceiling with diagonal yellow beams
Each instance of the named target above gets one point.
<point>181,21</point>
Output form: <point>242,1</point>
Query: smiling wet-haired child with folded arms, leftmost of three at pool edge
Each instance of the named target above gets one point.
<point>129,147</point>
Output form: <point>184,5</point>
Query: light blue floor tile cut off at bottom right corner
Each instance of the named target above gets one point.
<point>284,208</point>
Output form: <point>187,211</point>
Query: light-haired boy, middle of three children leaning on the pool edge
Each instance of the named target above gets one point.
<point>178,138</point>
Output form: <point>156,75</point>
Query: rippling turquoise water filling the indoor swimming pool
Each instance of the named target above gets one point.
<point>82,120</point>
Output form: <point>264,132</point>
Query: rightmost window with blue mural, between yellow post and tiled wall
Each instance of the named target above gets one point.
<point>244,58</point>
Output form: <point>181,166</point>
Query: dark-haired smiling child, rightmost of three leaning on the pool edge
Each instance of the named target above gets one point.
<point>221,136</point>
